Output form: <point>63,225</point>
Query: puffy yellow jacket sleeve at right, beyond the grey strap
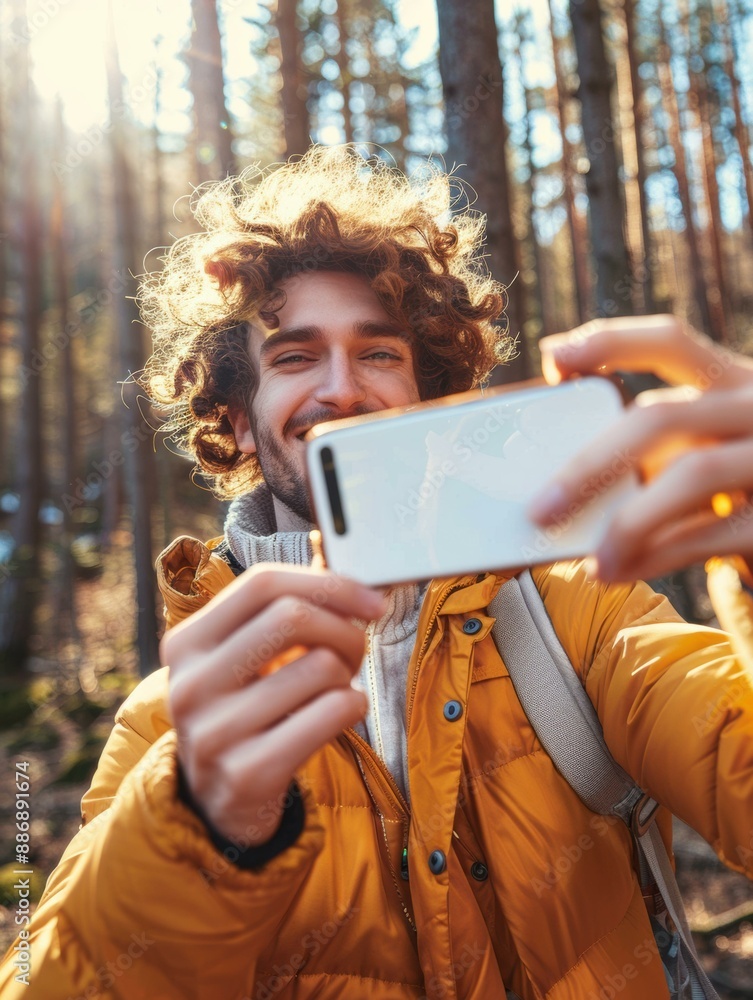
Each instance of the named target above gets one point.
<point>675,701</point>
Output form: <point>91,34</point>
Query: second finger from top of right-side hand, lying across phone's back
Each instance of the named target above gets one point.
<point>644,438</point>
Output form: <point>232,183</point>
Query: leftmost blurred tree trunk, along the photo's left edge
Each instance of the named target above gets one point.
<point>21,588</point>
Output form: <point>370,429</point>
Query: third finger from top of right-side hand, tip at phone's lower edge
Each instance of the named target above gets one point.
<point>687,485</point>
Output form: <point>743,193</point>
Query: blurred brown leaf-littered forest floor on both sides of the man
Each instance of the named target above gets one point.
<point>59,718</point>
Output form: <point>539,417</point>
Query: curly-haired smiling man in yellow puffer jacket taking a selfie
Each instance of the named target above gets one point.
<point>260,826</point>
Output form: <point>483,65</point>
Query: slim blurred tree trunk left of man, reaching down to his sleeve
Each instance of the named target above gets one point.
<point>136,438</point>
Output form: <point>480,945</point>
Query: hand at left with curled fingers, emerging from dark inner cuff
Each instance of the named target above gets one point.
<point>244,730</point>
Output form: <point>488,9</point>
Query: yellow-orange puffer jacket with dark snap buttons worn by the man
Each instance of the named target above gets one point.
<point>537,894</point>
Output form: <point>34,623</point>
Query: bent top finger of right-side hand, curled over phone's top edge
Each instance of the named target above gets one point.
<point>659,344</point>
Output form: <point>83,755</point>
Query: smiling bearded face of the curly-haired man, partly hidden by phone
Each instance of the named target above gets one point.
<point>336,354</point>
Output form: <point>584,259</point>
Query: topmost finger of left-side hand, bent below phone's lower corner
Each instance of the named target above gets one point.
<point>255,590</point>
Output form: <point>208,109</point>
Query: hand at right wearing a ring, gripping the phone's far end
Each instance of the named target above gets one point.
<point>691,443</point>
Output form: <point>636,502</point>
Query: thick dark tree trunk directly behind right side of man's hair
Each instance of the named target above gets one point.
<point>472,85</point>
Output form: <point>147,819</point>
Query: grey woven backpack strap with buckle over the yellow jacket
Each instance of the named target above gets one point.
<point>569,730</point>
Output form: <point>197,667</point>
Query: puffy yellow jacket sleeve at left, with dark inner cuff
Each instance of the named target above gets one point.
<point>142,905</point>
